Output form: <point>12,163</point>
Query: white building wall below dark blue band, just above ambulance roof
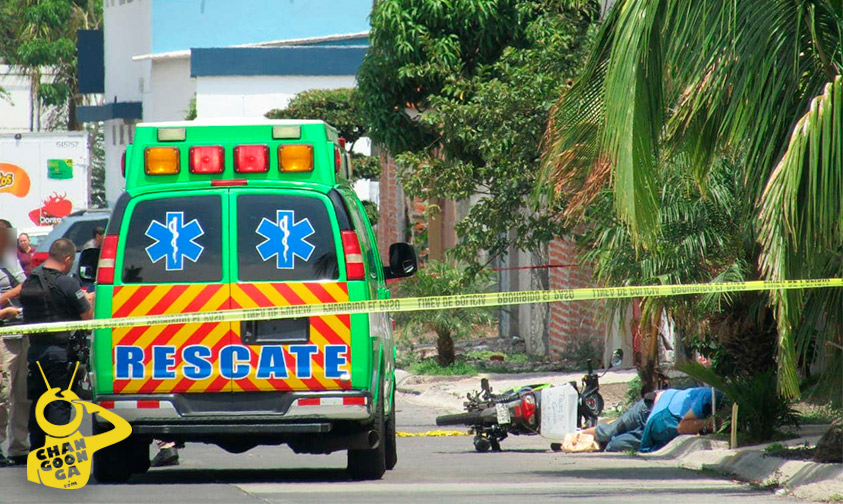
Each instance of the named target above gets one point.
<point>255,95</point>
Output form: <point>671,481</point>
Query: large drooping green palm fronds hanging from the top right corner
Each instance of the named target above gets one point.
<point>761,78</point>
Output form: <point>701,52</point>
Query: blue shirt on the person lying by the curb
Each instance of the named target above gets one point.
<point>672,406</point>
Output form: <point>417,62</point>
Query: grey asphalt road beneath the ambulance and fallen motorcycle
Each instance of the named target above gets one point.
<point>440,470</point>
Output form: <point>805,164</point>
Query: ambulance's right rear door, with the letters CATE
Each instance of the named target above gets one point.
<point>286,249</point>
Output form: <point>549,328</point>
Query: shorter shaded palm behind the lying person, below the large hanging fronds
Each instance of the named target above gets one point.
<point>702,237</point>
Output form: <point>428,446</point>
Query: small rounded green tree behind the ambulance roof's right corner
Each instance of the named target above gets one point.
<point>341,109</point>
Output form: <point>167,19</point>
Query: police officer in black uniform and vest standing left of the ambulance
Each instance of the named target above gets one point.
<point>50,295</point>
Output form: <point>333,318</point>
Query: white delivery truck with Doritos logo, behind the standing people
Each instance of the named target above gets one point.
<point>43,178</point>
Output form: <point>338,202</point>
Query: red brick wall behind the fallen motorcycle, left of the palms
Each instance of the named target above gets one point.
<point>570,321</point>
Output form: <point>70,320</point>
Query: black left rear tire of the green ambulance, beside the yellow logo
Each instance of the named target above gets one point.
<point>116,463</point>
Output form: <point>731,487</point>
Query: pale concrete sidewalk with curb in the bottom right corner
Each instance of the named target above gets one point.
<point>806,480</point>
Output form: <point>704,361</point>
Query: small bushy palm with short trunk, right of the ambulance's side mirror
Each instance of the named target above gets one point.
<point>438,278</point>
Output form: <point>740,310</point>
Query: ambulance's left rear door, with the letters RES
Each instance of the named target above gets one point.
<point>170,260</point>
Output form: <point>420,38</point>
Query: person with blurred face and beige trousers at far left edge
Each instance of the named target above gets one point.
<point>14,405</point>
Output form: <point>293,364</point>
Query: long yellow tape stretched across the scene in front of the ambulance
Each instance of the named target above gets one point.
<point>423,303</point>
